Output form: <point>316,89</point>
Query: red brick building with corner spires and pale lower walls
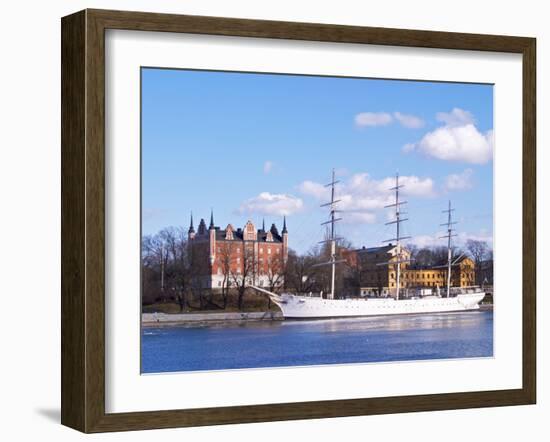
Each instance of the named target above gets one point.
<point>223,257</point>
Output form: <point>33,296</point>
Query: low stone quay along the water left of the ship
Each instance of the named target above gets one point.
<point>156,319</point>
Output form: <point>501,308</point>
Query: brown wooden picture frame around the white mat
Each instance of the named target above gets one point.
<point>83,220</point>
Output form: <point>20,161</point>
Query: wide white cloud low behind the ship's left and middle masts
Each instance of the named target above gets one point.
<point>361,196</point>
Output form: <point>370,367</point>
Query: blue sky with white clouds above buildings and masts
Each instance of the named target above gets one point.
<point>254,146</point>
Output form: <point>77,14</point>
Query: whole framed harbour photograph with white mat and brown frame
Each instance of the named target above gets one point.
<point>267,220</point>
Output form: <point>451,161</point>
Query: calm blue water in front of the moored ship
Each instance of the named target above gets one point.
<point>332,341</point>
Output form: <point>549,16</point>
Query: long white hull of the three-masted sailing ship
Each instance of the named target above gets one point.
<point>304,307</point>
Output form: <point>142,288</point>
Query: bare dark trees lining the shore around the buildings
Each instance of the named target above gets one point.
<point>169,276</point>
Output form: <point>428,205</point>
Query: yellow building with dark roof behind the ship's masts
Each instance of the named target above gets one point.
<point>379,277</point>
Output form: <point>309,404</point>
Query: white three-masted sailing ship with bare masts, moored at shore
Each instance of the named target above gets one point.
<point>399,301</point>
